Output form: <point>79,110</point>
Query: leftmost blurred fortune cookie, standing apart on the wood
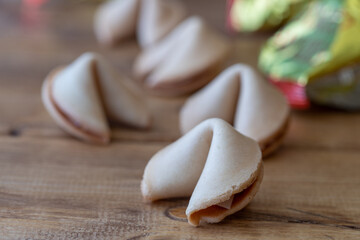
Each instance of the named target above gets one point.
<point>84,95</point>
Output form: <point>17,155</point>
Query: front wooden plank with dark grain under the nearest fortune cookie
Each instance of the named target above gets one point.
<point>64,189</point>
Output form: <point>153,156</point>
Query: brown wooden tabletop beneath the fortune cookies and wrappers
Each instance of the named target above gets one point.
<point>55,187</point>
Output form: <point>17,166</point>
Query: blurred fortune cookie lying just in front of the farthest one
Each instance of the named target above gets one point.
<point>184,61</point>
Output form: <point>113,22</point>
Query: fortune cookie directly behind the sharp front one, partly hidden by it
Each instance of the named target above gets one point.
<point>242,98</point>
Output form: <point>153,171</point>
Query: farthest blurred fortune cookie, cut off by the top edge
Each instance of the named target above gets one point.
<point>149,20</point>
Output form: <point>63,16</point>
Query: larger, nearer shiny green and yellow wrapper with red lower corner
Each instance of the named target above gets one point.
<point>316,56</point>
